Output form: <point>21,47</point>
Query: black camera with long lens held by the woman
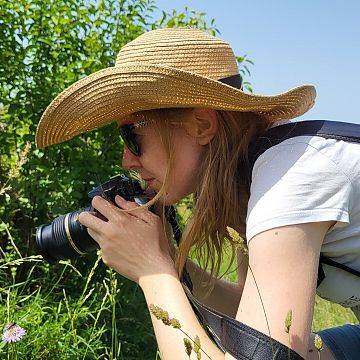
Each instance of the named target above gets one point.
<point>67,238</point>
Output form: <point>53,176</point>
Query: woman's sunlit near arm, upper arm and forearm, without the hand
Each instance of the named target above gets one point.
<point>271,263</point>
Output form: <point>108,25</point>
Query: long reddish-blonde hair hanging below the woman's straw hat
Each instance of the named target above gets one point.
<point>221,196</point>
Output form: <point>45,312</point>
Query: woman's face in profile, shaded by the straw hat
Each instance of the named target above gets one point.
<point>152,163</point>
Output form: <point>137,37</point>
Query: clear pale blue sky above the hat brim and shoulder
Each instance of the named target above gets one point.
<point>294,43</point>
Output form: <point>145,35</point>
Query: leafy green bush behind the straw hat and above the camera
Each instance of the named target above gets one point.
<point>45,47</point>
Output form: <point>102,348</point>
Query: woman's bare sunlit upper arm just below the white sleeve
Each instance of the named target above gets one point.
<point>284,262</point>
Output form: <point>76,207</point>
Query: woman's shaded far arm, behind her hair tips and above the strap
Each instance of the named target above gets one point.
<point>225,296</point>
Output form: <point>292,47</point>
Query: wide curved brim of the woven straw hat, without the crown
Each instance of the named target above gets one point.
<point>112,93</point>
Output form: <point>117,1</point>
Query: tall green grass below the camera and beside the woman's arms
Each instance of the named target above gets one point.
<point>83,310</point>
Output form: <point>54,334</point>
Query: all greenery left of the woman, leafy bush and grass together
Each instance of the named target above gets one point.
<point>45,47</point>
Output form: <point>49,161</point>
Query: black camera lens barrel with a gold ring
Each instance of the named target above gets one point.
<point>65,238</point>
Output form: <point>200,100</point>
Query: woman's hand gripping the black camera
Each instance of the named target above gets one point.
<point>133,244</point>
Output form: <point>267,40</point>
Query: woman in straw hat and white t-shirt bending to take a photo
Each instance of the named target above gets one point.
<point>181,91</point>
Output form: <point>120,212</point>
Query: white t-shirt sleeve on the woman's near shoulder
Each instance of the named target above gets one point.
<point>295,183</point>
